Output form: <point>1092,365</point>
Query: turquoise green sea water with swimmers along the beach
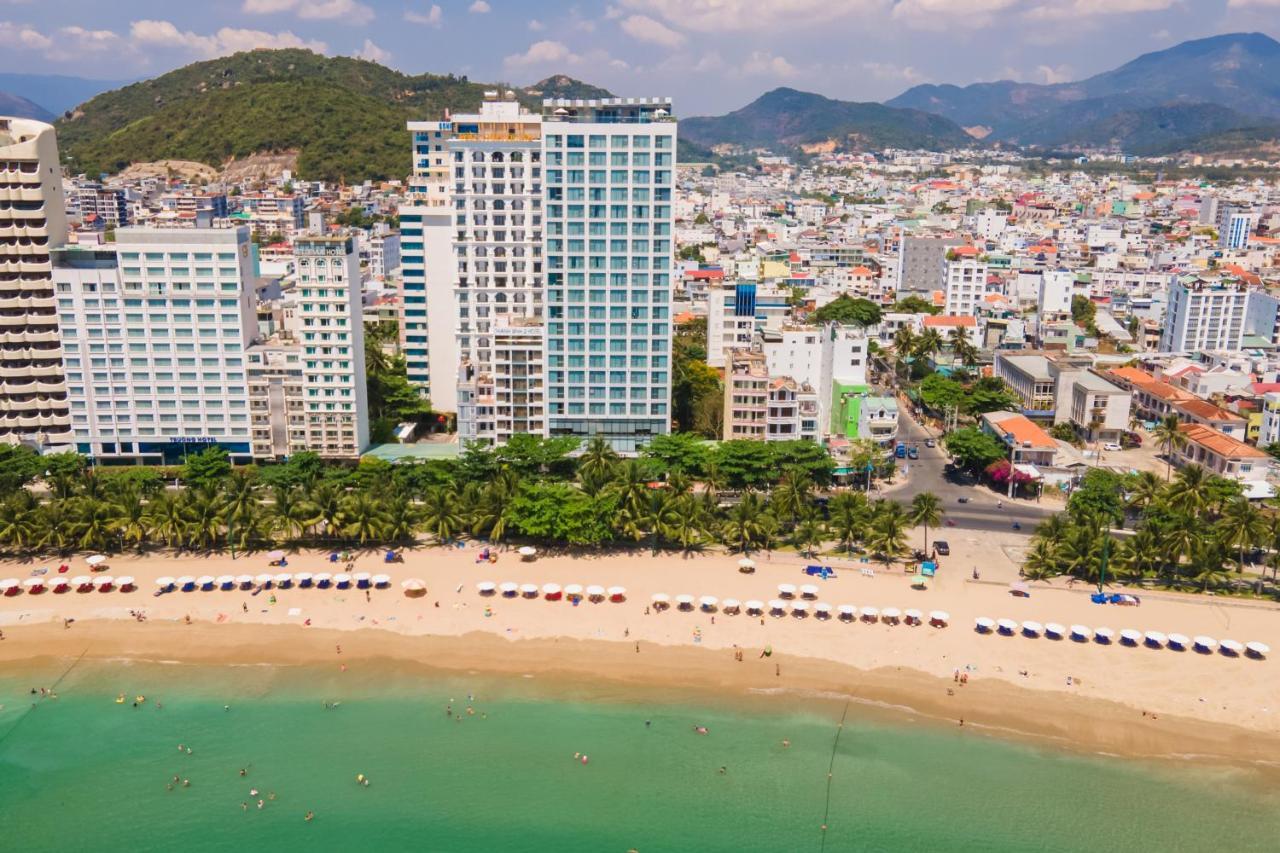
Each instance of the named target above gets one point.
<point>84,773</point>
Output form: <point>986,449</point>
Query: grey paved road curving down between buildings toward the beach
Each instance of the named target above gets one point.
<point>927,475</point>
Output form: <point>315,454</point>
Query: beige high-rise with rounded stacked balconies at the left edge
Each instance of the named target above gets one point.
<point>34,400</point>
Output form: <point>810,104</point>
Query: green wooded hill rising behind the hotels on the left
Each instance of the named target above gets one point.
<point>345,117</point>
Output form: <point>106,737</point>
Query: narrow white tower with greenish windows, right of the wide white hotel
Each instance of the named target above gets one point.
<point>333,346</point>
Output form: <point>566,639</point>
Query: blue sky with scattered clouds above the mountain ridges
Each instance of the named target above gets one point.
<point>712,56</point>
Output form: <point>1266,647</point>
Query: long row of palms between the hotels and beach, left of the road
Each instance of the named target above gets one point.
<point>240,513</point>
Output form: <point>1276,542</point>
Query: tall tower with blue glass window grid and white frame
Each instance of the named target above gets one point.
<point>610,176</point>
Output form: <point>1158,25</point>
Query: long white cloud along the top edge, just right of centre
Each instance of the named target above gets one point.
<point>765,16</point>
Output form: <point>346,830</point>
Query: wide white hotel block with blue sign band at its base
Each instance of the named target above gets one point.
<point>156,335</point>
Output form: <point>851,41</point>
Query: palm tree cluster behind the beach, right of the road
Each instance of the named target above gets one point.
<point>1186,535</point>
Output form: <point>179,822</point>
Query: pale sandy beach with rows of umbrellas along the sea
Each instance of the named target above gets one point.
<point>1110,699</point>
